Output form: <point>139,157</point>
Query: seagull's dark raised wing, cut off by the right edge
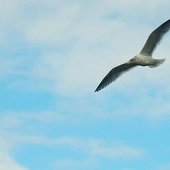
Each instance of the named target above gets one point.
<point>154,38</point>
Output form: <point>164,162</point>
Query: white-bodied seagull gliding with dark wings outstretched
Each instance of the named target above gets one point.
<point>144,58</point>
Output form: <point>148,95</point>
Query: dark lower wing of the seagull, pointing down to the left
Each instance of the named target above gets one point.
<point>114,74</point>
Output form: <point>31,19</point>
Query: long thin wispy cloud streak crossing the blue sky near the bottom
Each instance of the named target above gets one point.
<point>91,147</point>
